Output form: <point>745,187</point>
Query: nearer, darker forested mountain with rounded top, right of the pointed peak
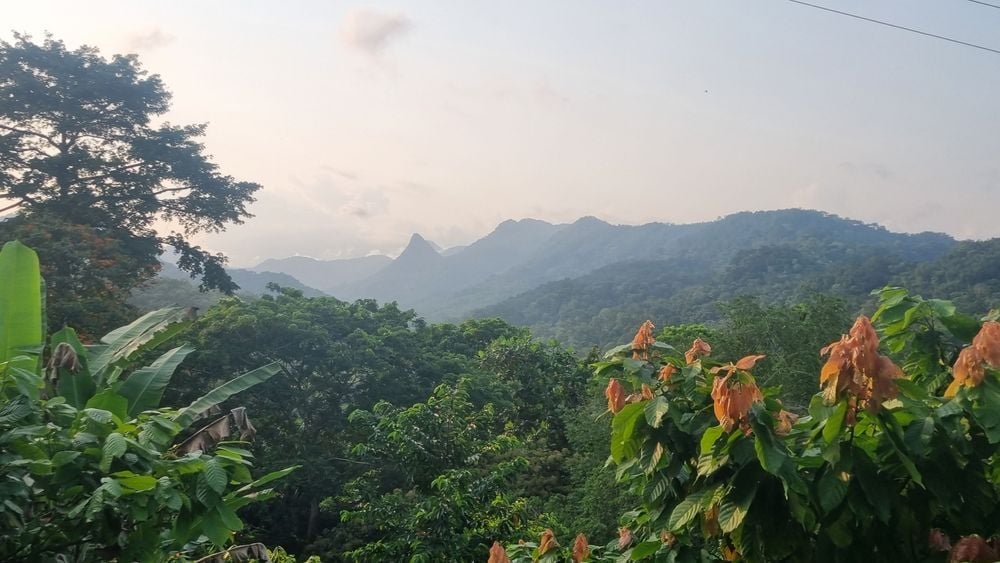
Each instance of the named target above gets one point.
<point>778,256</point>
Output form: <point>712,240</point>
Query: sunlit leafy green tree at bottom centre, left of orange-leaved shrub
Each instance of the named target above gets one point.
<point>438,488</point>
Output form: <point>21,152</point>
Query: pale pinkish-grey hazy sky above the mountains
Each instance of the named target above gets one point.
<point>368,121</point>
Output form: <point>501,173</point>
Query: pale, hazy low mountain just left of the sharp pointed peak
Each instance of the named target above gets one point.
<point>325,274</point>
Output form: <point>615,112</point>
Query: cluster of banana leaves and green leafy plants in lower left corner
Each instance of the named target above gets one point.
<point>89,469</point>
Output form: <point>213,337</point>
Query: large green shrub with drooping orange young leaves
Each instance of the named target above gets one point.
<point>883,464</point>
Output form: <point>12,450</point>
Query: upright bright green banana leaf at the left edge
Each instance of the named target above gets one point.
<point>20,304</point>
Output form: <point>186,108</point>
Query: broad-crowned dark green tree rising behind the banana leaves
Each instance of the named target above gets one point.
<point>338,357</point>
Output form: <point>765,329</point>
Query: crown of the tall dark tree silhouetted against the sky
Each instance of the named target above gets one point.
<point>82,138</point>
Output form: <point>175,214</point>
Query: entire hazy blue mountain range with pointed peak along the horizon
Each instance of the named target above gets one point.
<point>557,278</point>
